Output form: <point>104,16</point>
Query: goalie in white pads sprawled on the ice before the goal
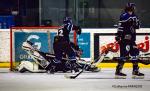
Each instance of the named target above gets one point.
<point>43,62</point>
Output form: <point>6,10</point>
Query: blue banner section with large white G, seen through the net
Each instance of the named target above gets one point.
<point>40,40</point>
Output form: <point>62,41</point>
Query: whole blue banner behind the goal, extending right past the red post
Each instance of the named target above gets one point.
<point>41,41</point>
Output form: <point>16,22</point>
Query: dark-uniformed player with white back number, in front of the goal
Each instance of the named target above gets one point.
<point>62,43</point>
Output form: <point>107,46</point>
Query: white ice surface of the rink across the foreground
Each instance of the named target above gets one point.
<point>88,81</point>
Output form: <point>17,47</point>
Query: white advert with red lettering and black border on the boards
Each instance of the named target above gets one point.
<point>107,41</point>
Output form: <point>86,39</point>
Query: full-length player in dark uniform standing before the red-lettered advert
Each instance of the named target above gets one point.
<point>126,37</point>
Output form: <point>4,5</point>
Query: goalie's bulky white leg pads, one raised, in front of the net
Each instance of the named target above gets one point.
<point>39,63</point>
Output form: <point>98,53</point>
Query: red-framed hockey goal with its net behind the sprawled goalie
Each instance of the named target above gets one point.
<point>42,37</point>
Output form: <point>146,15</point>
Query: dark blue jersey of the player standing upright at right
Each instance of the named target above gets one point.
<point>127,26</point>
